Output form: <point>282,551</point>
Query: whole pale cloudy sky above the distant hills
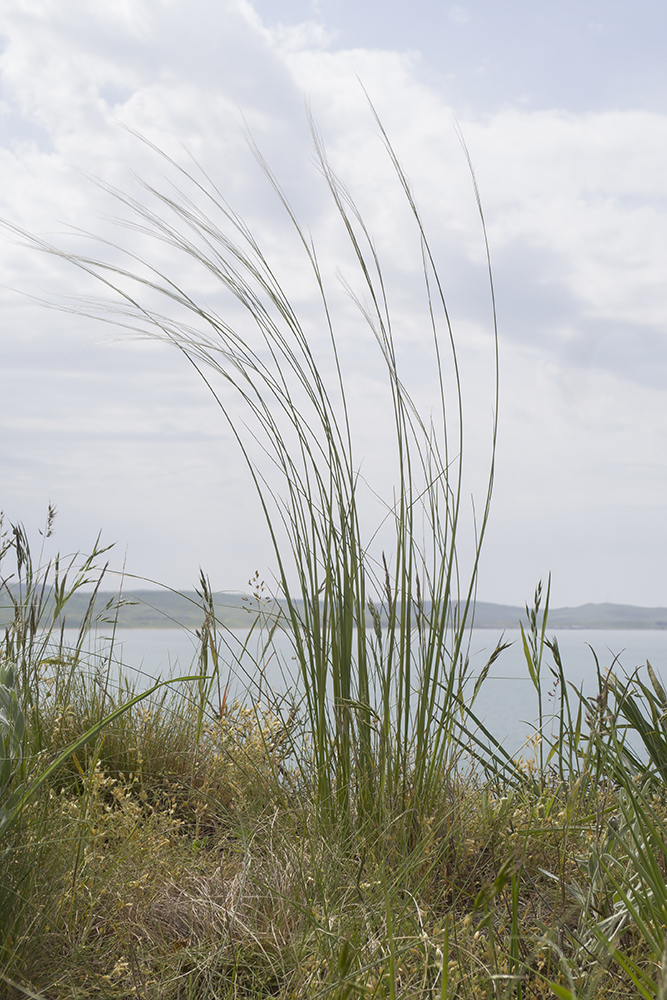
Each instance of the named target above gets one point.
<point>563,108</point>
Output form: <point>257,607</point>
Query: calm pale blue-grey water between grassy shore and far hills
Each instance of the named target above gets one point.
<point>507,702</point>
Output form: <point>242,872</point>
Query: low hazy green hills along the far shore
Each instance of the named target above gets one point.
<point>167,609</point>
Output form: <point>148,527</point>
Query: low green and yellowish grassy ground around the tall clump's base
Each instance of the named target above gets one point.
<point>183,854</point>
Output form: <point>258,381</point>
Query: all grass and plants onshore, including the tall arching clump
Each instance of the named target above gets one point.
<point>362,835</point>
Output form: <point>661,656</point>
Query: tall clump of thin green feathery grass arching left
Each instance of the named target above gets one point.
<point>379,638</point>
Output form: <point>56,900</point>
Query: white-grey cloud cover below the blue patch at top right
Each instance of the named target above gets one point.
<point>575,207</point>
